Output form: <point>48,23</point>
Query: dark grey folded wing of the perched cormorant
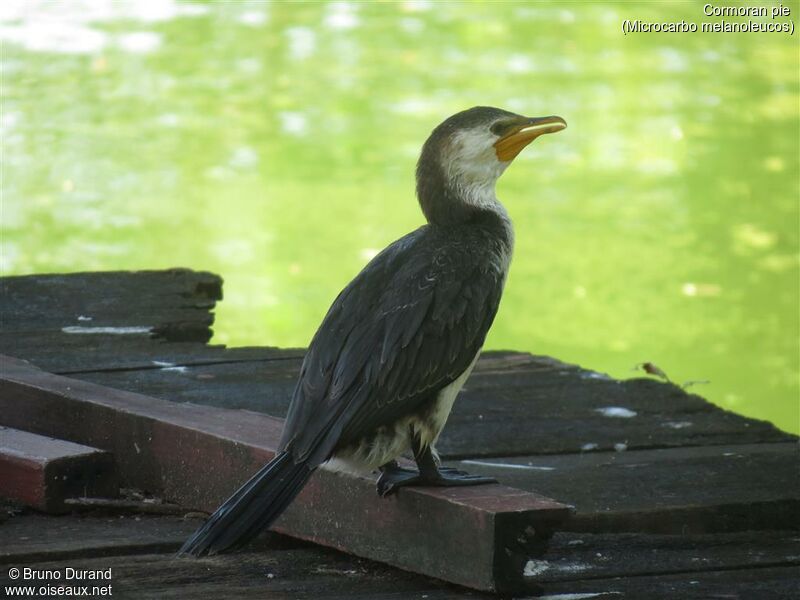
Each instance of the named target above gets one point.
<point>408,325</point>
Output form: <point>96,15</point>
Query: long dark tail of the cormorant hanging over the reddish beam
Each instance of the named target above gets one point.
<point>251,509</point>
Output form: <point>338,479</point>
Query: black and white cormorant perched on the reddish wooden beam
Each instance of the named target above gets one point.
<point>398,343</point>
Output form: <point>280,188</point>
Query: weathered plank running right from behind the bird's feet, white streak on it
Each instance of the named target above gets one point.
<point>674,490</point>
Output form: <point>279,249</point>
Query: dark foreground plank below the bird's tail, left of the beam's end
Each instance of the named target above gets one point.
<point>277,574</point>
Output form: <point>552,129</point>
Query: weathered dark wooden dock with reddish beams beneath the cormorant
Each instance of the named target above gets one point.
<point>672,497</point>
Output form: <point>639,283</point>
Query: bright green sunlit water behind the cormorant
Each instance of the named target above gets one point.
<point>275,144</point>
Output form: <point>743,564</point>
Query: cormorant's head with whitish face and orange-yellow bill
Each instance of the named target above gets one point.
<point>466,154</point>
